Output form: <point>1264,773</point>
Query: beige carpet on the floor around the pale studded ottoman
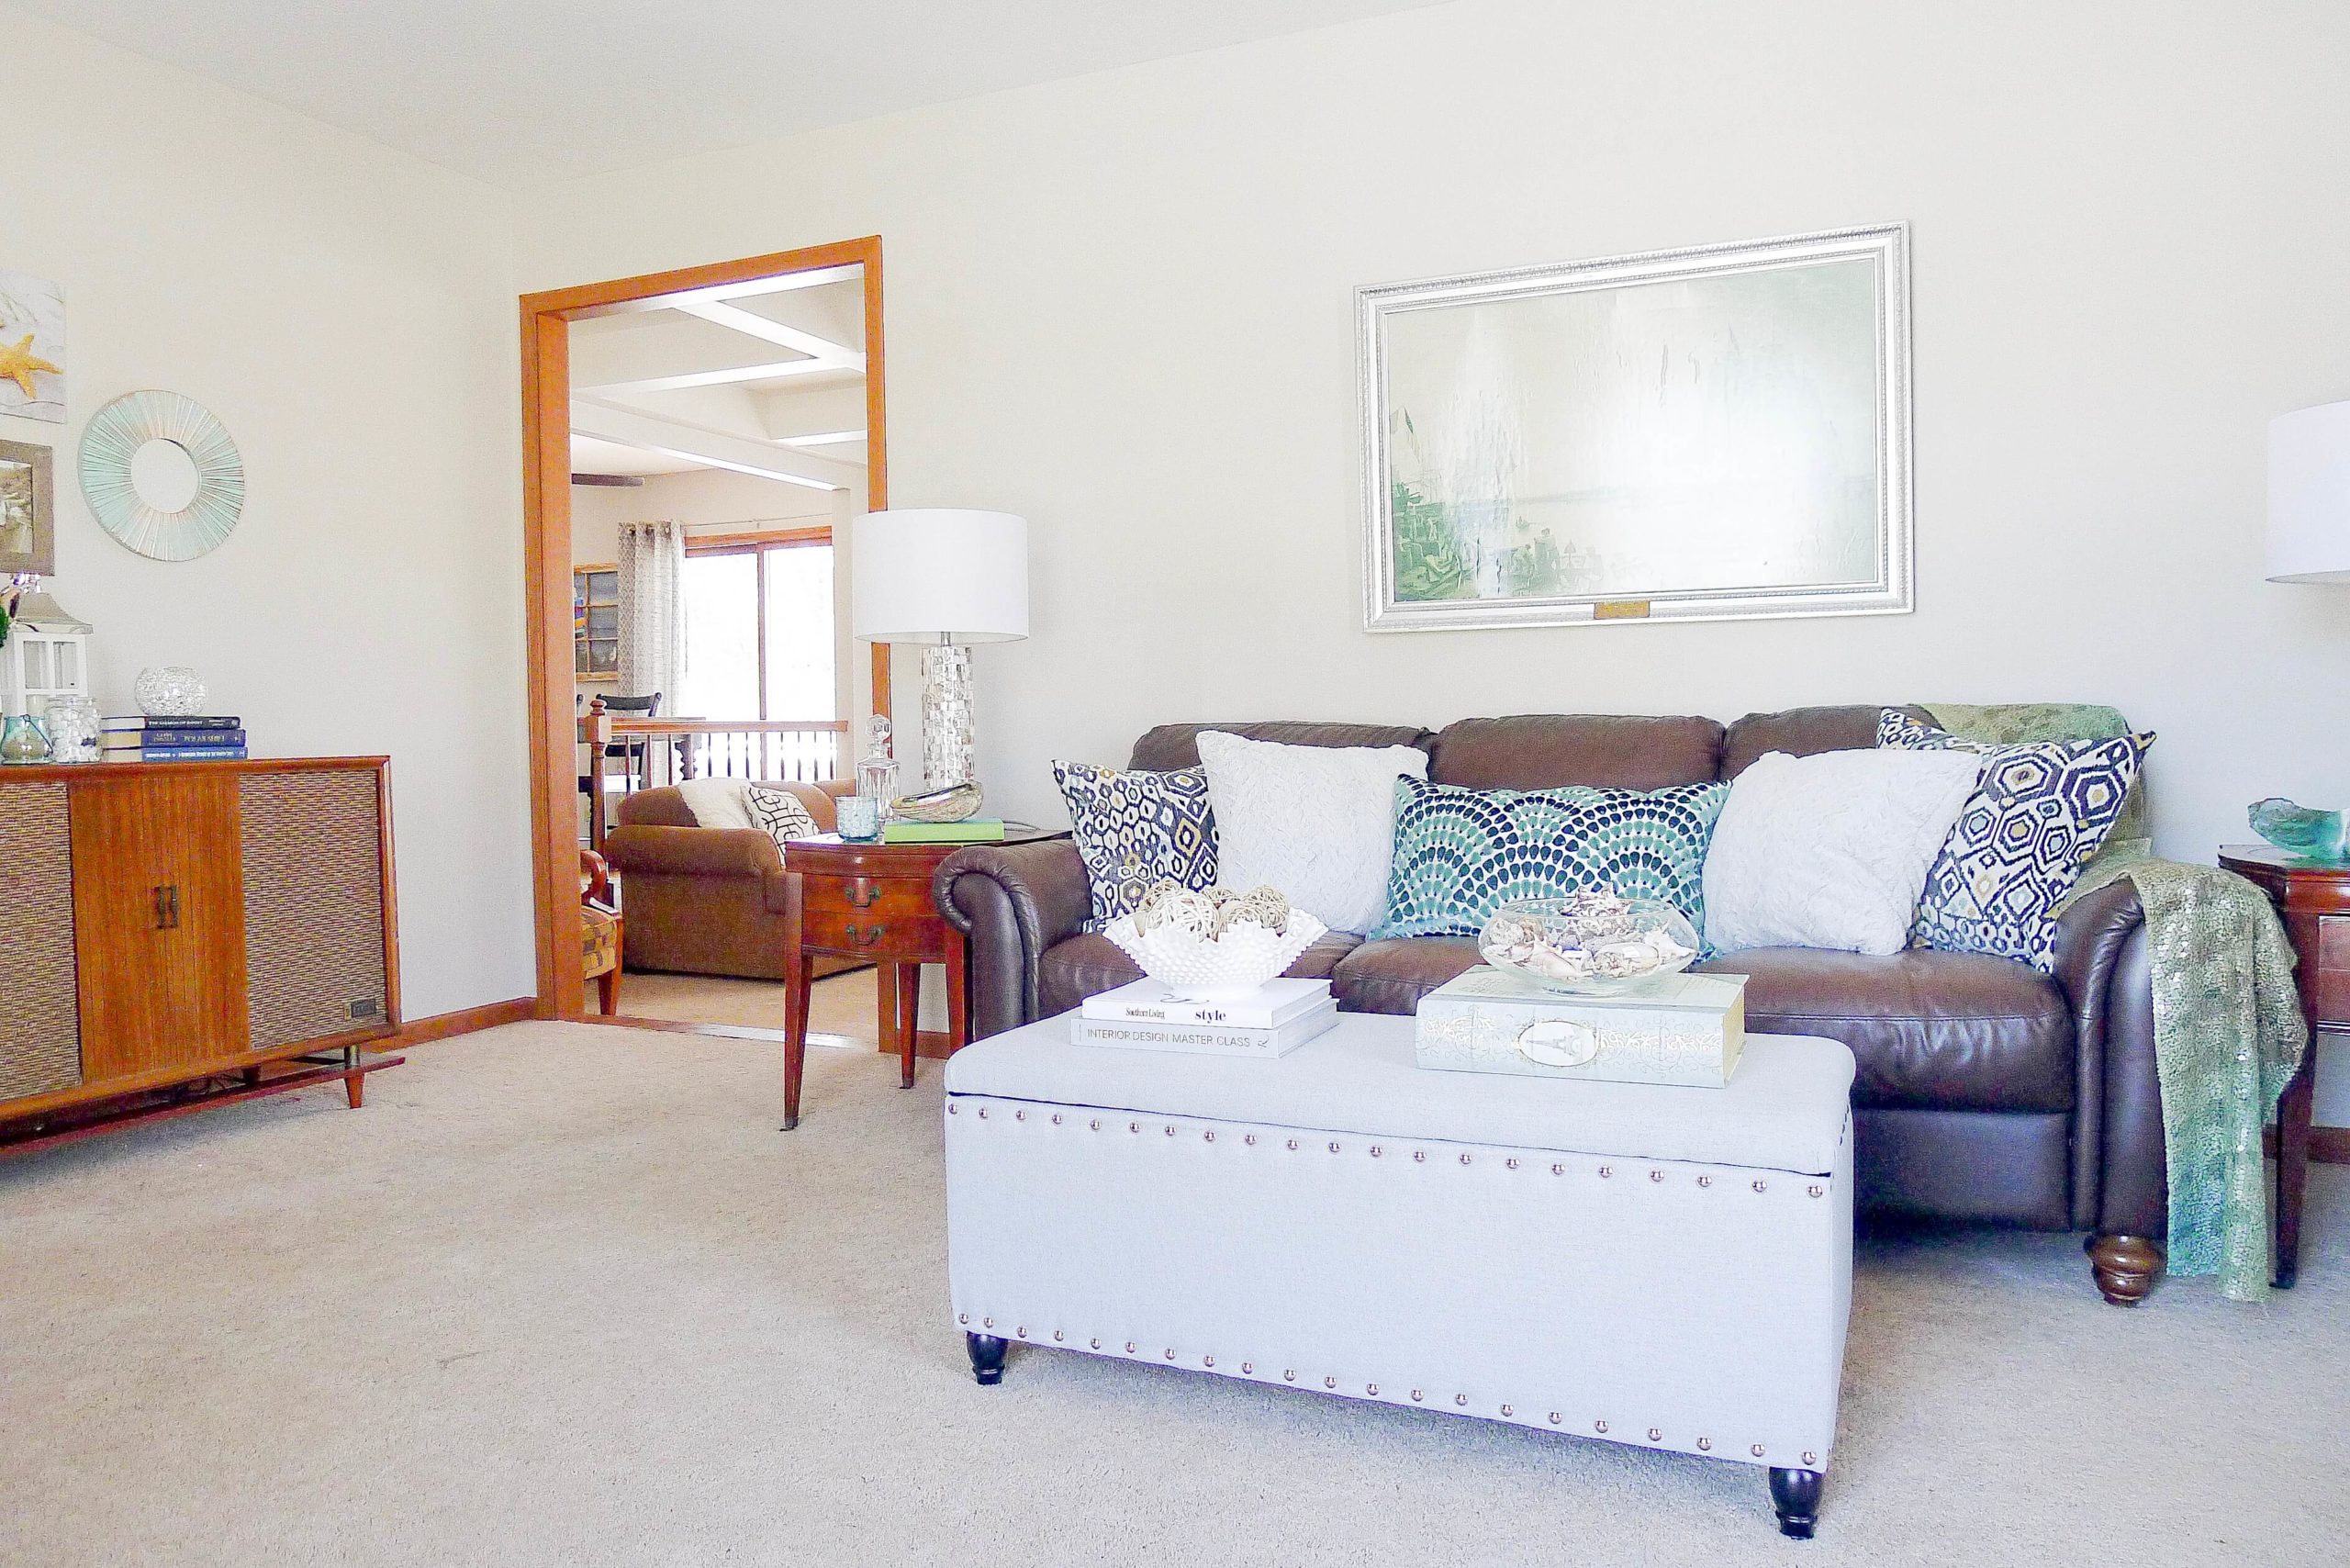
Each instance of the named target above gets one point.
<point>563,1294</point>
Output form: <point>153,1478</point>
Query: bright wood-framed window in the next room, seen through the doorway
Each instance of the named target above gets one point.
<point>760,629</point>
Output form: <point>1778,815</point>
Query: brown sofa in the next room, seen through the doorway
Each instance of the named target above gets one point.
<point>706,902</point>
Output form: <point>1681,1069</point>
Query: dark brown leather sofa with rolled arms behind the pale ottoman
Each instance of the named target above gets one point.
<point>1987,1090</point>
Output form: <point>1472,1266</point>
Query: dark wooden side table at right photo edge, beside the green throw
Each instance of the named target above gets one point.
<point>2316,909</point>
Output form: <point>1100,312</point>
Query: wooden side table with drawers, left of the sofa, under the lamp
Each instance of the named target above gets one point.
<point>873,904</point>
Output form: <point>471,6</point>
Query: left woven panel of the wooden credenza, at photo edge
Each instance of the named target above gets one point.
<point>41,1021</point>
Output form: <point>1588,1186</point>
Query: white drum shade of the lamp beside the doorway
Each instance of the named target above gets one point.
<point>939,575</point>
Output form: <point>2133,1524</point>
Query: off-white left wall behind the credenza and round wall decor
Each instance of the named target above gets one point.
<point>349,316</point>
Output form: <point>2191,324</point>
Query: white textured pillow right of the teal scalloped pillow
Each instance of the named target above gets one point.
<point>1829,850</point>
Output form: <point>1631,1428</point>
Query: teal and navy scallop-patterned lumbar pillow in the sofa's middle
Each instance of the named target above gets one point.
<point>1463,852</point>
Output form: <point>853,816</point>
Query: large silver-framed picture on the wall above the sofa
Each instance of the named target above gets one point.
<point>1679,436</point>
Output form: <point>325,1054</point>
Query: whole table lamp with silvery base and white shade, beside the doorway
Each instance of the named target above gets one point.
<point>946,579</point>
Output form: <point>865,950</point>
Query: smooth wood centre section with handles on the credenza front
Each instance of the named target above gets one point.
<point>159,897</point>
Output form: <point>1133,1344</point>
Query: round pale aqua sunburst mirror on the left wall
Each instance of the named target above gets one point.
<point>163,476</point>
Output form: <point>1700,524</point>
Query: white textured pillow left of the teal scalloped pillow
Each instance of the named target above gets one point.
<point>1315,822</point>
